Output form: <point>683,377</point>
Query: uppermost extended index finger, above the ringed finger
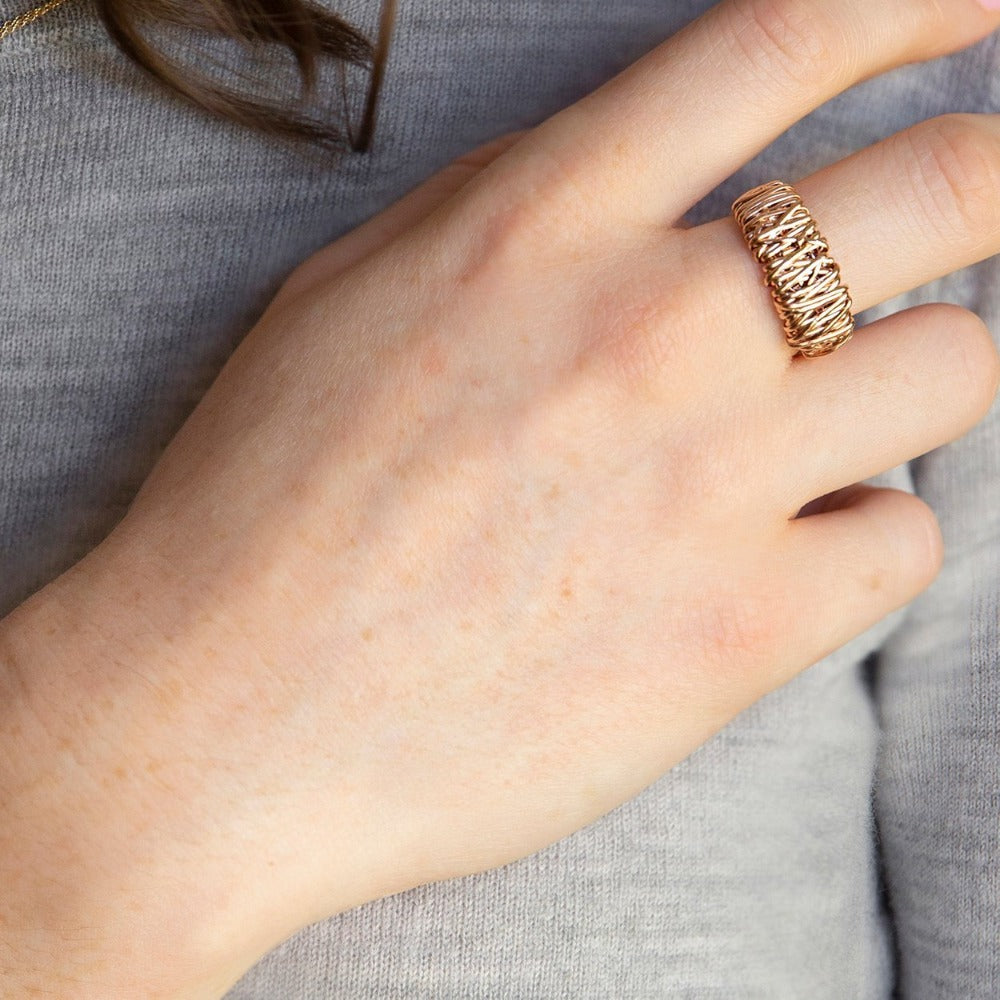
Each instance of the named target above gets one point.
<point>662,134</point>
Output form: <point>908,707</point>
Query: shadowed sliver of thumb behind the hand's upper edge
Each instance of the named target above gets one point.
<point>397,218</point>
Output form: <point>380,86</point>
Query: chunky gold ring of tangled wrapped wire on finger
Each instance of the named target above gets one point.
<point>804,280</point>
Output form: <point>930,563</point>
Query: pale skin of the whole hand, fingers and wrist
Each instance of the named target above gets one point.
<point>491,518</point>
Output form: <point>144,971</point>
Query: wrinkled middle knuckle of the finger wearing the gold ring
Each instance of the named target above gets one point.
<point>955,169</point>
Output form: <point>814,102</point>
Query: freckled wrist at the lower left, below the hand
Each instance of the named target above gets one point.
<point>114,885</point>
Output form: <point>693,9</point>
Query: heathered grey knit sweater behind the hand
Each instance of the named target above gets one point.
<point>839,839</point>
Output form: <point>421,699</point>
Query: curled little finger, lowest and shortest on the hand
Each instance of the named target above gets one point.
<point>846,569</point>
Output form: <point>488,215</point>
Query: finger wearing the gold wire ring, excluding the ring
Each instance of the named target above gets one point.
<point>914,207</point>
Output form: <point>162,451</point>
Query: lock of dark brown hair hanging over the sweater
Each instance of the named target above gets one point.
<point>307,31</point>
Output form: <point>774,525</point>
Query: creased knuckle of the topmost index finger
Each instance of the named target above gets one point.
<point>788,41</point>
